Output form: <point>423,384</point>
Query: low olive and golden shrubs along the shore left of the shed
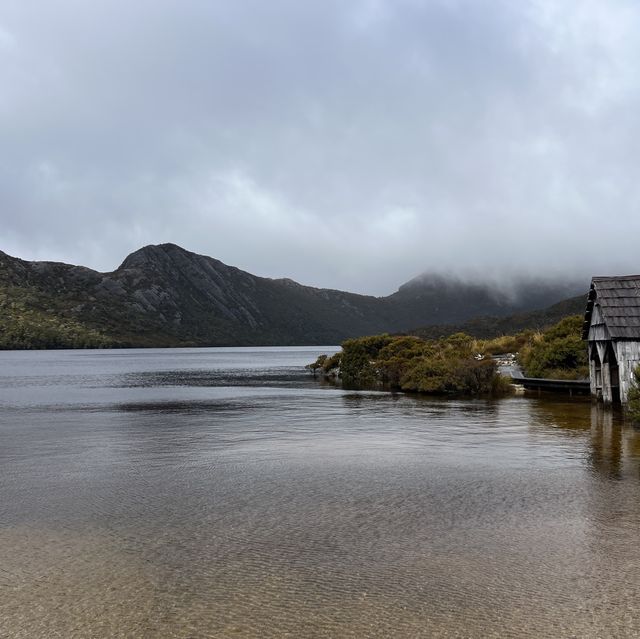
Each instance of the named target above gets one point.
<point>457,364</point>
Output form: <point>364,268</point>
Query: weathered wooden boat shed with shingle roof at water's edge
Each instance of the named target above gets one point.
<point>612,328</point>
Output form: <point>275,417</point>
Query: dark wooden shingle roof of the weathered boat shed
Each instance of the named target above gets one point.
<point>619,302</point>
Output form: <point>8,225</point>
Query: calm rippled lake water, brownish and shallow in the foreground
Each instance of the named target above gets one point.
<point>225,493</point>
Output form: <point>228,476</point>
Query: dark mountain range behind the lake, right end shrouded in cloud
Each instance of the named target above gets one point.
<point>167,296</point>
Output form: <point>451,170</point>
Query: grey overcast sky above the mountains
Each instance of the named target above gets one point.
<point>348,144</point>
